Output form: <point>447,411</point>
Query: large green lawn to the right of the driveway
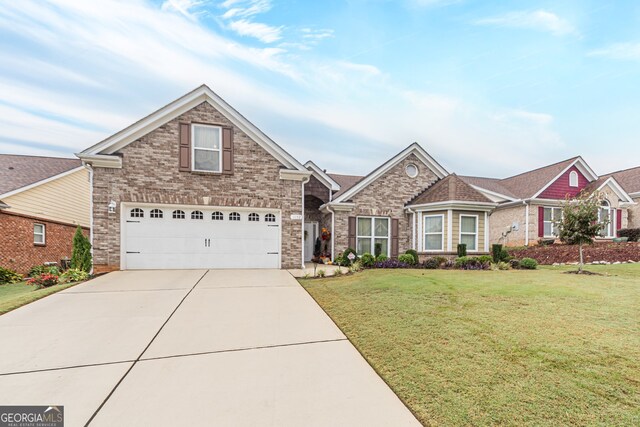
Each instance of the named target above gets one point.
<point>498,348</point>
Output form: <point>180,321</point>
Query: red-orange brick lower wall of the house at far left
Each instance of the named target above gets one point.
<point>19,253</point>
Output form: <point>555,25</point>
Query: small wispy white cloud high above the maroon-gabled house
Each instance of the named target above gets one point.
<point>540,20</point>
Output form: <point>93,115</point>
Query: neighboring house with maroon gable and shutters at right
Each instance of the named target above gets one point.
<point>529,203</point>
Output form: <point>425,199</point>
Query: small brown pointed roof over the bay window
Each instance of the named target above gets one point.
<point>450,189</point>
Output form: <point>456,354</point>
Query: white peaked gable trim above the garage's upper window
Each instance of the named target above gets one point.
<point>104,150</point>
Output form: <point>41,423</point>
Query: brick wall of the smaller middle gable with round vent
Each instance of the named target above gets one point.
<point>387,196</point>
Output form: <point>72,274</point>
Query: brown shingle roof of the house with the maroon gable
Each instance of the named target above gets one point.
<point>530,184</point>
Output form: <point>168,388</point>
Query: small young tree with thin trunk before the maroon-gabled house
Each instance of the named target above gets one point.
<point>579,224</point>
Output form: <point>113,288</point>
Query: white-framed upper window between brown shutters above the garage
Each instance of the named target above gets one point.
<point>206,147</point>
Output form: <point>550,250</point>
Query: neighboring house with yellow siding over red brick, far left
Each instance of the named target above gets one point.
<point>42,201</point>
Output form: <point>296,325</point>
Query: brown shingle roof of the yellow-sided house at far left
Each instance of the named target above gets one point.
<point>18,172</point>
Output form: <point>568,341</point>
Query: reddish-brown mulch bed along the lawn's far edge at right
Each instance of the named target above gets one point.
<point>565,254</point>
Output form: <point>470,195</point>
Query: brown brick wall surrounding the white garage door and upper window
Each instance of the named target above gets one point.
<point>150,174</point>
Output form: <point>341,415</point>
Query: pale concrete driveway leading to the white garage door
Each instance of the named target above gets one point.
<point>190,347</point>
